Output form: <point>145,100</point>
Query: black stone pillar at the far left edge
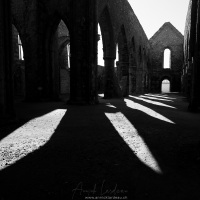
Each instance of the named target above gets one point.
<point>6,59</point>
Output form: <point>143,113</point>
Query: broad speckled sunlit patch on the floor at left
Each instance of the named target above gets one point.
<point>29,137</point>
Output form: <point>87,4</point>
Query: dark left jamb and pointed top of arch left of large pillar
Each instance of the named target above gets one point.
<point>51,61</point>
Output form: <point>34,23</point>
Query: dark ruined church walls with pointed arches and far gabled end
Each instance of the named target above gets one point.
<point>45,71</point>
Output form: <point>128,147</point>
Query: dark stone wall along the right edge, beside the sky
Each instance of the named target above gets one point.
<point>191,69</point>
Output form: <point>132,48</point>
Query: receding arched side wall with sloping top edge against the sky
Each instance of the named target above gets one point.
<point>123,15</point>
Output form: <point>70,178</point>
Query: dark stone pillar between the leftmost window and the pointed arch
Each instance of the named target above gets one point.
<point>34,68</point>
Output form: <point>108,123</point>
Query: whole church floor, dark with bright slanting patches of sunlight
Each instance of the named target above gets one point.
<point>141,147</point>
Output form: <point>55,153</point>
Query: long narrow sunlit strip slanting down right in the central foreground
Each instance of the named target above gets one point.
<point>130,135</point>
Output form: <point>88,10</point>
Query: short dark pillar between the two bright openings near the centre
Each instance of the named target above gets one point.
<point>111,86</point>
